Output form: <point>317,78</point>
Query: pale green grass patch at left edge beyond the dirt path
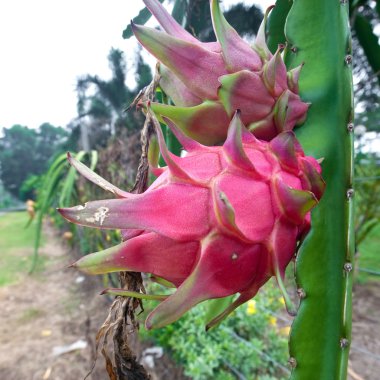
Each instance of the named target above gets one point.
<point>16,247</point>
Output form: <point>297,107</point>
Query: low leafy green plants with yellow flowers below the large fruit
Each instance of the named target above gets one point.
<point>252,343</point>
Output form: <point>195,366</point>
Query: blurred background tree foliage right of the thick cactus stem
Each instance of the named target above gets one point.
<point>364,16</point>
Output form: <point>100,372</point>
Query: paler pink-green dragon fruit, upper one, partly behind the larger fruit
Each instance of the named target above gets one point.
<point>208,82</point>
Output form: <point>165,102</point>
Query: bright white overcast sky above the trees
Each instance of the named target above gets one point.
<point>47,44</point>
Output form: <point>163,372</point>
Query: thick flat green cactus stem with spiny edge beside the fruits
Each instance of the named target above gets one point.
<point>318,34</point>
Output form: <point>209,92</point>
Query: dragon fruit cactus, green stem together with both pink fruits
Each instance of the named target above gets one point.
<point>313,33</point>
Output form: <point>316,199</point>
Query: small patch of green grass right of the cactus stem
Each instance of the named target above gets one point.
<point>369,256</point>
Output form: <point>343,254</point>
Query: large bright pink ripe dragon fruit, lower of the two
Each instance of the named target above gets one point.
<point>220,221</point>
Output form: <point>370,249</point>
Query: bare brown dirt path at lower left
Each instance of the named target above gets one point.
<point>47,310</point>
